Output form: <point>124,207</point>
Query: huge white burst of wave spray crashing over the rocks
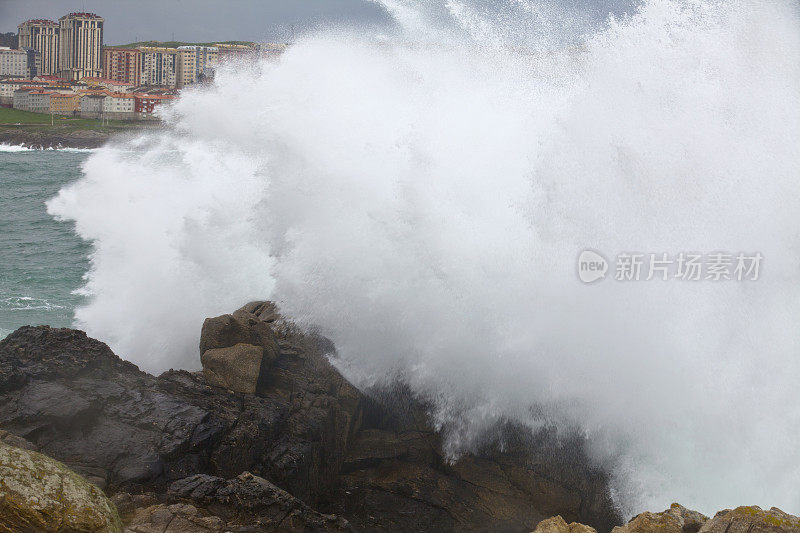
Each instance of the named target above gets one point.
<point>422,198</point>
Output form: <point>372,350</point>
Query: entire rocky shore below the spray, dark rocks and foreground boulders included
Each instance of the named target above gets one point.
<point>270,437</point>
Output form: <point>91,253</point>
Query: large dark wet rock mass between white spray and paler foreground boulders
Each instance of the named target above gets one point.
<point>374,460</point>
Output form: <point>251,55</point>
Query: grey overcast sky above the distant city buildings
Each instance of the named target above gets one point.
<point>197,20</point>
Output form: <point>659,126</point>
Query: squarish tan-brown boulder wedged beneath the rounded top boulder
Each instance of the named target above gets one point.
<point>236,368</point>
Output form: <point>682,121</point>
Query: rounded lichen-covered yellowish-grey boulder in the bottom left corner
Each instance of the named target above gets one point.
<point>40,494</point>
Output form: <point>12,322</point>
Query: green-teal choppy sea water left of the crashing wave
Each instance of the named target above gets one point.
<point>42,261</point>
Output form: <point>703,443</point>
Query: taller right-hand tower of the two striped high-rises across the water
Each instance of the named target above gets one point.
<point>80,45</point>
